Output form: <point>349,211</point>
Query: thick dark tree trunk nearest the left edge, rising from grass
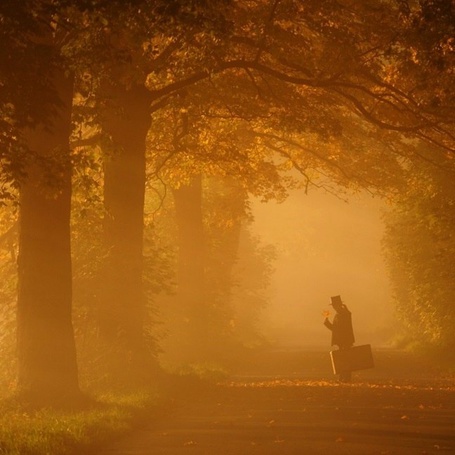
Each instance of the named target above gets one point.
<point>46,347</point>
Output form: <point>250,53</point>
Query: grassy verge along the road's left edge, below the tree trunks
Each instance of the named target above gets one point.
<point>25,430</point>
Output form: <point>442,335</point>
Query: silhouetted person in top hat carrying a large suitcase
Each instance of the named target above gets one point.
<point>342,331</point>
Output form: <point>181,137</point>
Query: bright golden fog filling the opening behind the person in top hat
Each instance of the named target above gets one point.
<point>325,247</point>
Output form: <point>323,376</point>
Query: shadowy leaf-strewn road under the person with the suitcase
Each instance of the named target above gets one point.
<point>288,402</point>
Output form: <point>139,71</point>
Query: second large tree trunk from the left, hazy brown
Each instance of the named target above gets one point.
<point>122,302</point>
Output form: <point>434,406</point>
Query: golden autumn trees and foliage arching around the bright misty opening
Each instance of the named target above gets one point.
<point>134,134</point>
